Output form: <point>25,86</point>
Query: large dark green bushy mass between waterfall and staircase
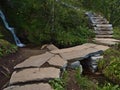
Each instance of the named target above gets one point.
<point>62,26</point>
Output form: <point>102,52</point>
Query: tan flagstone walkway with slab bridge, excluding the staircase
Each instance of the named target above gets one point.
<point>35,72</point>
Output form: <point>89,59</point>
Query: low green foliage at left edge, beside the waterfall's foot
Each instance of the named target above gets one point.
<point>6,48</point>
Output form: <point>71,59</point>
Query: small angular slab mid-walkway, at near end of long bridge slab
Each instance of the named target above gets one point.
<point>57,61</point>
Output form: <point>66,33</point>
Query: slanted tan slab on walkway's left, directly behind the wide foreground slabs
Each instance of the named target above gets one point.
<point>35,61</point>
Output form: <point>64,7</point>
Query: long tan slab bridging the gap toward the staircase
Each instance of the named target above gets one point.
<point>82,54</point>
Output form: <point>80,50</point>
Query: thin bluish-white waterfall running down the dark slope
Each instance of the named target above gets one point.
<point>11,29</point>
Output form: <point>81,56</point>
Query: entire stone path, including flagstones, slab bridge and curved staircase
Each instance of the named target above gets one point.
<point>35,72</point>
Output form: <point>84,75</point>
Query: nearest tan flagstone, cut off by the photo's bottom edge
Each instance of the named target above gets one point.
<point>41,86</point>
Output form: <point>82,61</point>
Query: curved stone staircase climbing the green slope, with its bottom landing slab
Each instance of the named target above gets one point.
<point>102,29</point>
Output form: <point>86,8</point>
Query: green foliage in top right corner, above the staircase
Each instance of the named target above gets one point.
<point>109,8</point>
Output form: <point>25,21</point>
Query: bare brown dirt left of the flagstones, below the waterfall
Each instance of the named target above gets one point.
<point>7,63</point>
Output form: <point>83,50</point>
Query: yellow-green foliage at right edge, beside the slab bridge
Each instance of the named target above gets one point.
<point>110,65</point>
